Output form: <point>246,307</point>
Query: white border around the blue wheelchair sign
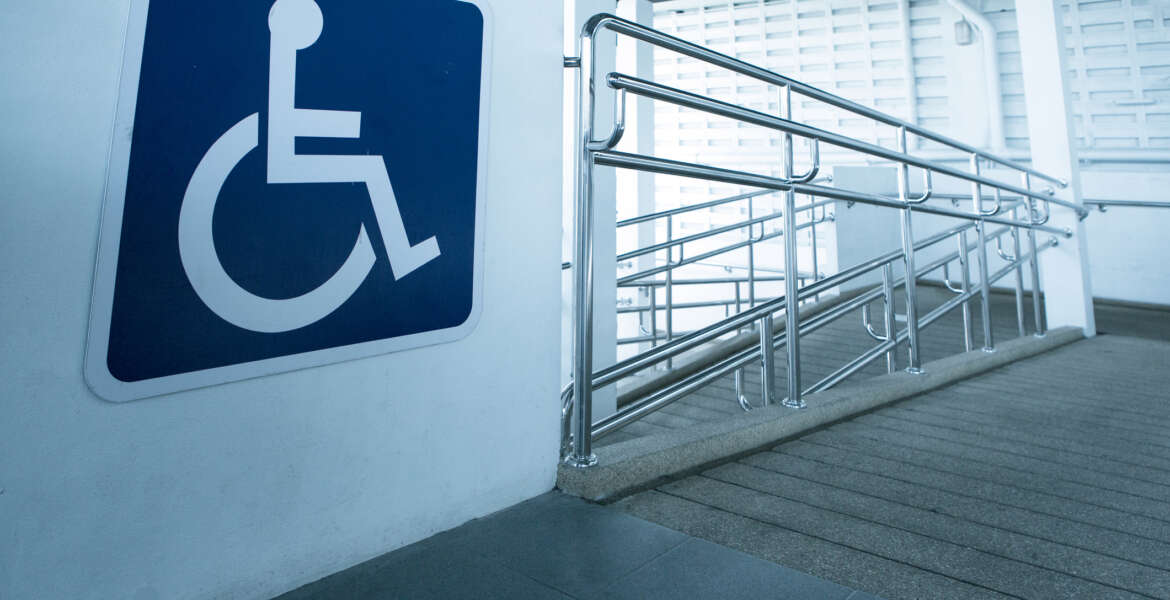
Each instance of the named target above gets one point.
<point>97,370</point>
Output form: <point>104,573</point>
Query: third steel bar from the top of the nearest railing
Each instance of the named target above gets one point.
<point>727,176</point>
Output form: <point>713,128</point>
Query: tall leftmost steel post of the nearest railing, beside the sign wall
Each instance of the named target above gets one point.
<point>583,265</point>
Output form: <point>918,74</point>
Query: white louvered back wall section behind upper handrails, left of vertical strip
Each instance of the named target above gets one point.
<point>849,47</point>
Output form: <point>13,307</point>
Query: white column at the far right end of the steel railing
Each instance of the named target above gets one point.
<point>1065,270</point>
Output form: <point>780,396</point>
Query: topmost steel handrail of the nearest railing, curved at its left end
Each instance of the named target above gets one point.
<point>643,33</point>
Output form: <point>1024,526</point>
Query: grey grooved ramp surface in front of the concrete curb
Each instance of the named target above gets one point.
<point>1045,479</point>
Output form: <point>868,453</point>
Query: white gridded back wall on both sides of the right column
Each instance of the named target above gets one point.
<point>1119,60</point>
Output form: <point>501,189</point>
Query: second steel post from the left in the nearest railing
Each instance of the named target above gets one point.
<point>792,273</point>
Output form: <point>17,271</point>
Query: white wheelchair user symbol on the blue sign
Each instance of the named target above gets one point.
<point>294,25</point>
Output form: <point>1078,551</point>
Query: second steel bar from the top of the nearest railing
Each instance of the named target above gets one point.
<point>693,101</point>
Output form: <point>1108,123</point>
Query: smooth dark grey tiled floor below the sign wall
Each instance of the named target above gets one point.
<point>556,547</point>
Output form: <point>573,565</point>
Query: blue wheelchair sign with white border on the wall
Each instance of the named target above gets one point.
<point>292,183</point>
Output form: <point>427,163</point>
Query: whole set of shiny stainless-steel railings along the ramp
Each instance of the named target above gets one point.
<point>1016,209</point>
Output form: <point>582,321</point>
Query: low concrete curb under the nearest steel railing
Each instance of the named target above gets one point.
<point>632,466</point>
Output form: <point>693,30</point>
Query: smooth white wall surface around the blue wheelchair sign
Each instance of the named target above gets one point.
<point>249,489</point>
